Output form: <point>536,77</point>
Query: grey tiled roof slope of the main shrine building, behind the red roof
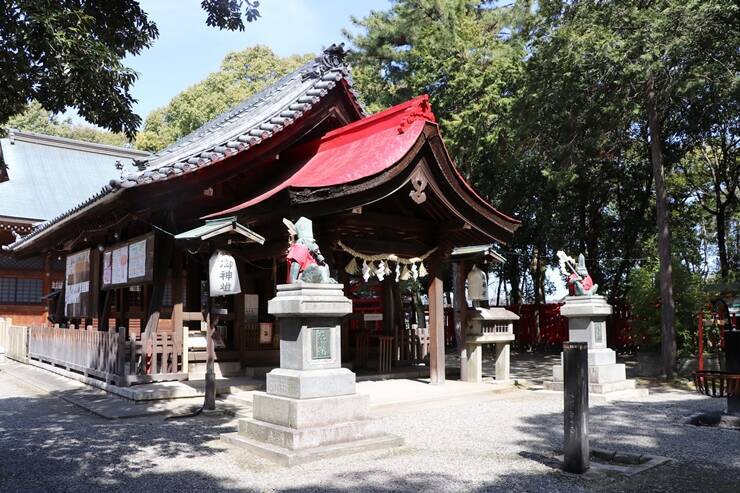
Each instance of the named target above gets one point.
<point>253,121</point>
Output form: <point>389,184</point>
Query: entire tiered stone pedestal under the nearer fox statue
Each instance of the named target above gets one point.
<point>310,410</point>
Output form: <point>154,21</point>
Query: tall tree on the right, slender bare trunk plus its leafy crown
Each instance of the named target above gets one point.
<point>654,58</point>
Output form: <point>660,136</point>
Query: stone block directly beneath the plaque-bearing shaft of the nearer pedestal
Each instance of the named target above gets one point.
<point>309,384</point>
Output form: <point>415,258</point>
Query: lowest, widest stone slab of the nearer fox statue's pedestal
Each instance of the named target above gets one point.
<point>288,457</point>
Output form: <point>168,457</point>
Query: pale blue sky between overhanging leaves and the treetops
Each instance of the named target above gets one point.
<point>187,50</point>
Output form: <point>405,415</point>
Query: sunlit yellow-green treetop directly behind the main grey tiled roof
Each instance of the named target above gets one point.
<point>242,74</point>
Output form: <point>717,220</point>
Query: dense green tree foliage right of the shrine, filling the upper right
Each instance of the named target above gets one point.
<point>543,106</point>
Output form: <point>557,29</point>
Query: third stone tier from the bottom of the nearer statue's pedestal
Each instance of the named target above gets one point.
<point>306,413</point>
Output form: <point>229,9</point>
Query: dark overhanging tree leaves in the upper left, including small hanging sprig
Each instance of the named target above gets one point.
<point>68,53</point>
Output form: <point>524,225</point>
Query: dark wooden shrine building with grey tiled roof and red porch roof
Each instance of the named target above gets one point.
<point>390,211</point>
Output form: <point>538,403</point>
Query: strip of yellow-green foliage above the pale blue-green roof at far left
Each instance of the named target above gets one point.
<point>37,119</point>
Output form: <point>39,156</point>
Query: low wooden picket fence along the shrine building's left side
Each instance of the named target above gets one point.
<point>107,356</point>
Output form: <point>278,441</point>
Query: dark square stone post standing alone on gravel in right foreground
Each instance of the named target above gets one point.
<point>575,412</point>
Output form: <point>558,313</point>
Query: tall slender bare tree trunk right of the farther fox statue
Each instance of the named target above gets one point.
<point>667,308</point>
